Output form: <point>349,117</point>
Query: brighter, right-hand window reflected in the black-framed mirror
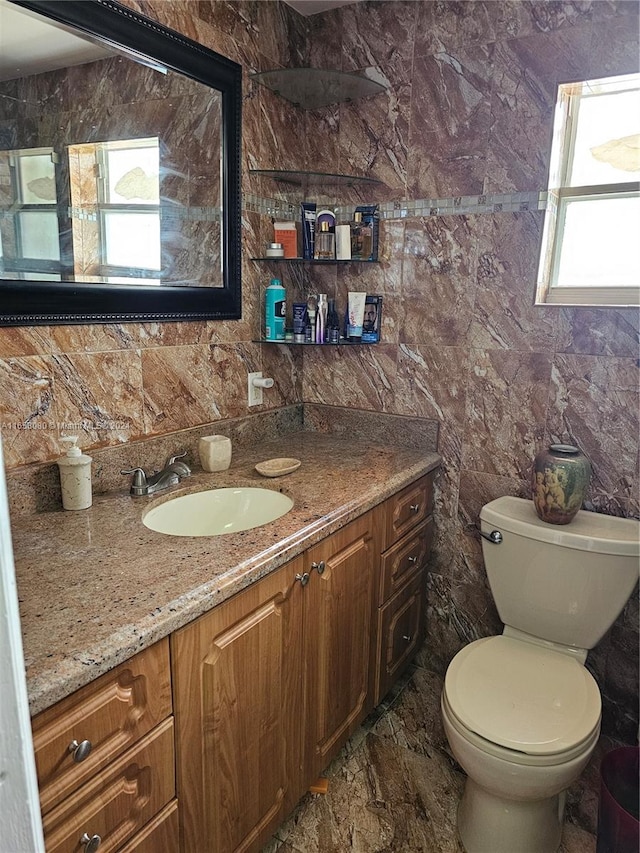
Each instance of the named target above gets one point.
<point>115,199</point>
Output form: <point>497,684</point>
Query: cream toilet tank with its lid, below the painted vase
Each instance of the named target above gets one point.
<point>566,584</point>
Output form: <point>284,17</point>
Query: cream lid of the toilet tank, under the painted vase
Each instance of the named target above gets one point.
<point>589,531</point>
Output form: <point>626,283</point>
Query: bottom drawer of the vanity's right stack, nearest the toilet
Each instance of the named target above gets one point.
<point>400,633</point>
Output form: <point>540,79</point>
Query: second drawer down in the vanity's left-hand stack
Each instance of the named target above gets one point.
<point>120,800</point>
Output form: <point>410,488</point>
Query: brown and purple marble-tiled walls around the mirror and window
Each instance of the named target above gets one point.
<point>468,110</point>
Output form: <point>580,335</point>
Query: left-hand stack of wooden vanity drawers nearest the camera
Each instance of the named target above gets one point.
<point>105,759</point>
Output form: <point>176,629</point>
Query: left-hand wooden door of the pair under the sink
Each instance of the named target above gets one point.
<point>239,712</point>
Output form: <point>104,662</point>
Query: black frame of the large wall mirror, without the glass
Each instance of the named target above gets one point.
<point>30,303</point>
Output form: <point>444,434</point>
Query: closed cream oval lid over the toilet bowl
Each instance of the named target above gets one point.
<point>522,696</point>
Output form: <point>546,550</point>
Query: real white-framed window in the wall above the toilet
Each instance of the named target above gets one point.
<point>590,249</point>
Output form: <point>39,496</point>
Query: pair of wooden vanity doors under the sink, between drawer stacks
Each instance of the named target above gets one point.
<point>268,686</point>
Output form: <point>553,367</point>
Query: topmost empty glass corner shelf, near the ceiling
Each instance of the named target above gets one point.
<point>313,88</point>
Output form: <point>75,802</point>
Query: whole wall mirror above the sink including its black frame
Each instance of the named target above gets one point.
<point>119,171</point>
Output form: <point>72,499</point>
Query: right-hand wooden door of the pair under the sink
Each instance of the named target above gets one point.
<point>338,619</point>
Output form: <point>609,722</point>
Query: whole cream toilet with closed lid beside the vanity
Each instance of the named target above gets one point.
<point>521,712</point>
